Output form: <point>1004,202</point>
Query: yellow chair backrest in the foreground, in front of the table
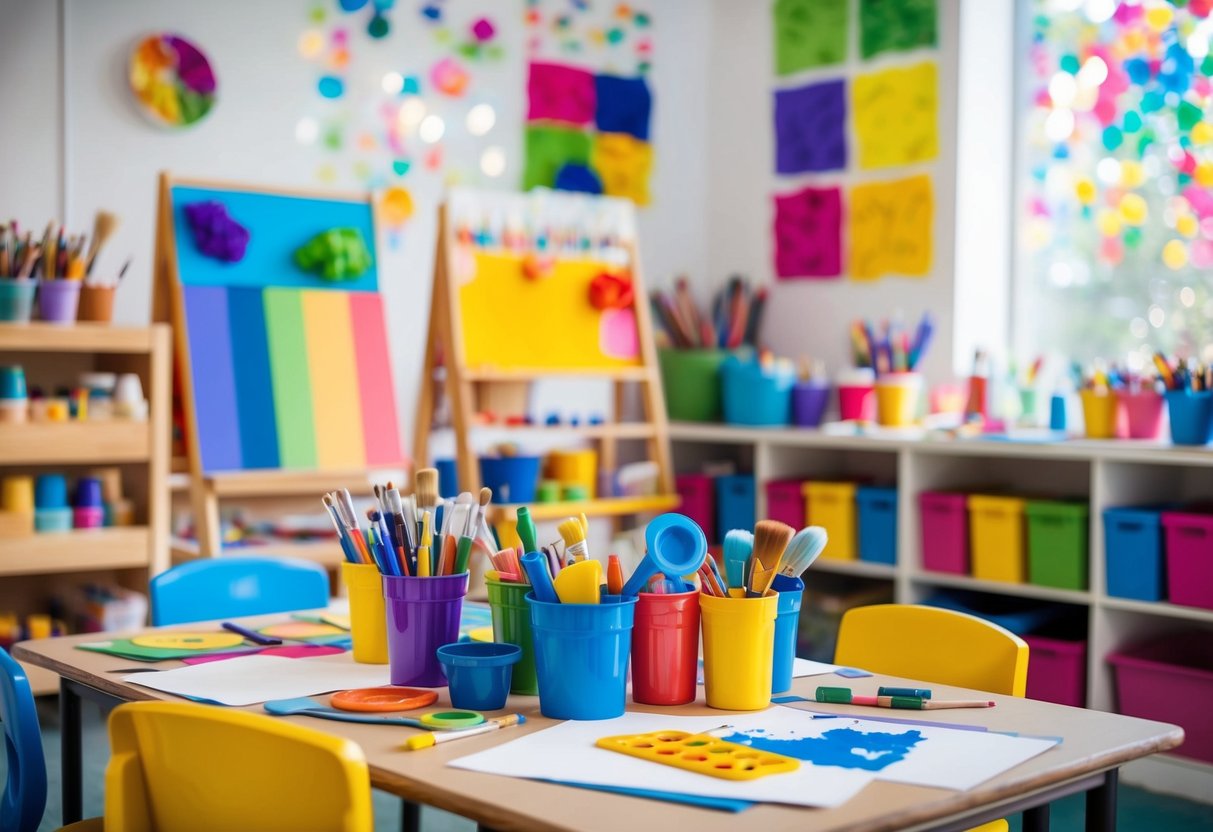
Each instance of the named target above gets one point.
<point>181,767</point>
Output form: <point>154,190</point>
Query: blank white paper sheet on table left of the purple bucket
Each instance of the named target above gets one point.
<point>250,680</point>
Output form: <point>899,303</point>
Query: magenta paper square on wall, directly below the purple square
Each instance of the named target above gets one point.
<point>808,233</point>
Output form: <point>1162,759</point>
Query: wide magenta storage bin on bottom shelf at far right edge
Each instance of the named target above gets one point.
<point>1170,680</point>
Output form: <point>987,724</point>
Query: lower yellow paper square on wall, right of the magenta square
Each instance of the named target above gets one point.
<point>891,226</point>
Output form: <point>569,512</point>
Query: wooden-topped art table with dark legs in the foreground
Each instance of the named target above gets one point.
<point>1095,745</point>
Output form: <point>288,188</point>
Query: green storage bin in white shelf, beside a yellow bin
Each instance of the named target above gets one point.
<point>1057,544</point>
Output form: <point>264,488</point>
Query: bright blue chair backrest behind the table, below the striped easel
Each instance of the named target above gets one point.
<point>231,588</point>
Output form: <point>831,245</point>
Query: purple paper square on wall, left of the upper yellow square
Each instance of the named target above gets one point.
<point>811,129</point>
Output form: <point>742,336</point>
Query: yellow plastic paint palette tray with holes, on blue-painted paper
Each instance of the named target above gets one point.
<point>702,754</point>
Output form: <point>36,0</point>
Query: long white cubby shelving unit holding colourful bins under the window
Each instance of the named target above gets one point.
<point>1107,474</point>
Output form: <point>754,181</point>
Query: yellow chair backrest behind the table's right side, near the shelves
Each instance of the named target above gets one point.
<point>933,645</point>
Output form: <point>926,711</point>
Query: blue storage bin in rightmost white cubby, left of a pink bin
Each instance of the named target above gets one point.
<point>1134,552</point>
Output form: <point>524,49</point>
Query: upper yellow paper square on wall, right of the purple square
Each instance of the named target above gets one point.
<point>896,117</point>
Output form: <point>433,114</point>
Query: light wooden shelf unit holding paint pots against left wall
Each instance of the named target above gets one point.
<point>38,567</point>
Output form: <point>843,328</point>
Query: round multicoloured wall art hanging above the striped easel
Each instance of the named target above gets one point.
<point>173,81</point>
